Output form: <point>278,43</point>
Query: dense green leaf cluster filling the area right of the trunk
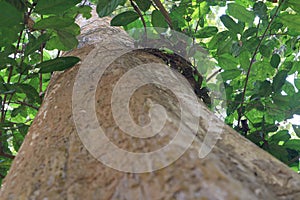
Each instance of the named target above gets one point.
<point>255,46</point>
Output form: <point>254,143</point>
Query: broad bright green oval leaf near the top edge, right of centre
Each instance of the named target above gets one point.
<point>240,12</point>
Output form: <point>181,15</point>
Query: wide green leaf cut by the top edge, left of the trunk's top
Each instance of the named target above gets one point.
<point>46,7</point>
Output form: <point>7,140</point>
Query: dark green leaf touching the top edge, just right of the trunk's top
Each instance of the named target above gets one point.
<point>106,7</point>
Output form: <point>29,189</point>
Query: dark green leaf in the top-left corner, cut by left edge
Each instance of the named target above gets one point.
<point>9,15</point>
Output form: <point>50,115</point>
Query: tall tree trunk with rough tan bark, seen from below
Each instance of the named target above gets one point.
<point>53,162</point>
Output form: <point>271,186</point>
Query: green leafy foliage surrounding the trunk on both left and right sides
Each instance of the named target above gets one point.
<point>254,44</point>
